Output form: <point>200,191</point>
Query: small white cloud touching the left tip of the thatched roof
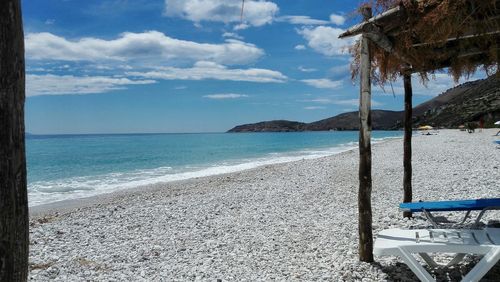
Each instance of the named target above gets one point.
<point>324,40</point>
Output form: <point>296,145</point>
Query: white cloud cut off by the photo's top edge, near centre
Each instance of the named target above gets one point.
<point>255,13</point>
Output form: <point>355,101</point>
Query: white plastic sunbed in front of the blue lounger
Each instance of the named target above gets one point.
<point>403,243</point>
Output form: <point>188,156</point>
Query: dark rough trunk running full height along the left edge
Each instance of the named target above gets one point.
<point>13,191</point>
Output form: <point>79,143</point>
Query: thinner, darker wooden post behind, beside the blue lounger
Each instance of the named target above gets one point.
<point>407,190</point>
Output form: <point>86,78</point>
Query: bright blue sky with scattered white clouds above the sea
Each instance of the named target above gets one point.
<point>183,66</point>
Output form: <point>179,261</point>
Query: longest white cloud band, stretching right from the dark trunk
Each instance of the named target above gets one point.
<point>147,46</point>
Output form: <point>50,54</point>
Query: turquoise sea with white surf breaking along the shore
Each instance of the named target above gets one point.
<point>62,167</point>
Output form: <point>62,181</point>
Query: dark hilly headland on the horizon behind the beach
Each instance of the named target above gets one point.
<point>464,103</point>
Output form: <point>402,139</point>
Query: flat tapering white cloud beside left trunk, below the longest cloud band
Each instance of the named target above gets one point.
<point>68,84</point>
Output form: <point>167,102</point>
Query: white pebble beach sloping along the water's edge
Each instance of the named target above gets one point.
<point>294,221</point>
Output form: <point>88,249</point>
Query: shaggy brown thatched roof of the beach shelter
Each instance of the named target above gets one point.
<point>427,35</point>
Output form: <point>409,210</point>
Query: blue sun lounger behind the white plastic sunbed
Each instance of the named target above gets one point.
<point>427,208</point>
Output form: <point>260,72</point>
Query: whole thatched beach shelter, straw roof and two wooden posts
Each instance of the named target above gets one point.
<point>415,36</point>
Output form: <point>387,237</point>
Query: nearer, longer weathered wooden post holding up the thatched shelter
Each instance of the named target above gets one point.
<point>365,155</point>
